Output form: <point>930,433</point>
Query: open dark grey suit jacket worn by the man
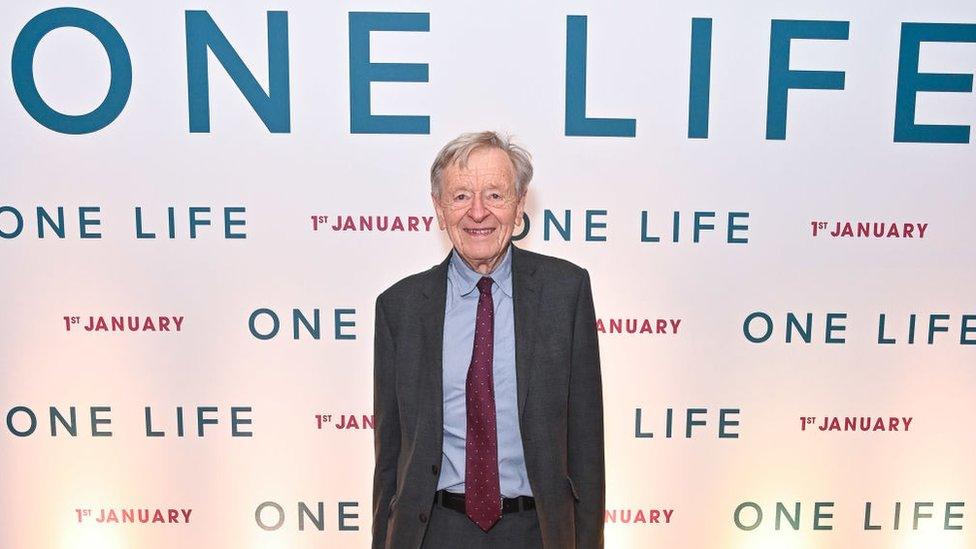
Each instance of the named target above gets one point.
<point>560,401</point>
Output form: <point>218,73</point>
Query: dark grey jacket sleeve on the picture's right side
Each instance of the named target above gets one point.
<point>585,421</point>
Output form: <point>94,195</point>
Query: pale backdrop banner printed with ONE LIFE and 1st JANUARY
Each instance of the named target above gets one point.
<point>200,202</point>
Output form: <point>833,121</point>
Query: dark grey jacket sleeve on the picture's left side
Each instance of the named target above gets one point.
<point>386,434</point>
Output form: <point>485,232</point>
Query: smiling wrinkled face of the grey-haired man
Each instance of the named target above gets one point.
<point>478,207</point>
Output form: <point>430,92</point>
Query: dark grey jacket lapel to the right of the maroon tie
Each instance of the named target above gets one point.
<point>526,293</point>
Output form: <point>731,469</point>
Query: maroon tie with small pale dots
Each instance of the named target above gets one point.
<point>482,496</point>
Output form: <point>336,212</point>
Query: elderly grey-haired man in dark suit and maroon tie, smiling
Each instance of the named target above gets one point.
<point>487,392</point>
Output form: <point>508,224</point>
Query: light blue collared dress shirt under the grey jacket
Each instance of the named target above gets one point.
<point>459,321</point>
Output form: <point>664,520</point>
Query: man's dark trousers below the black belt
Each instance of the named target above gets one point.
<point>449,529</point>
